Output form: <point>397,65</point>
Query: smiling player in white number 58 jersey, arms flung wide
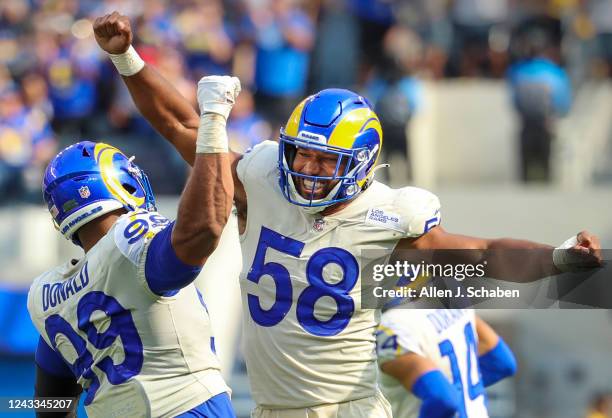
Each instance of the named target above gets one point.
<point>308,207</point>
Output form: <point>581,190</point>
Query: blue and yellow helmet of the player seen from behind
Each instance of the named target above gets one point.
<point>87,180</point>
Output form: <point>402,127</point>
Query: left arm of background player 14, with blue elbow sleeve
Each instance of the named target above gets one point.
<point>420,376</point>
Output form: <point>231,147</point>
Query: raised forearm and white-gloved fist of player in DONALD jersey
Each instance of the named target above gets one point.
<point>206,202</point>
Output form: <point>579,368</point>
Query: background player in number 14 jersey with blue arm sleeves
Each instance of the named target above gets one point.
<point>443,358</point>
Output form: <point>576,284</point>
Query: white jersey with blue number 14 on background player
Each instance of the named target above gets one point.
<point>448,338</point>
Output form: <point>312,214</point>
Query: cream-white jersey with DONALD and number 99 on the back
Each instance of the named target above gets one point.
<point>138,352</point>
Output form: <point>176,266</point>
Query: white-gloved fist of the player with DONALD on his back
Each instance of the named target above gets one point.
<point>217,94</point>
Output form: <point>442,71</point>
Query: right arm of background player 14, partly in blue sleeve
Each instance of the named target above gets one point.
<point>495,359</point>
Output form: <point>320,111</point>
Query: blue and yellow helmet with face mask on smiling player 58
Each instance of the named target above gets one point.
<point>338,122</point>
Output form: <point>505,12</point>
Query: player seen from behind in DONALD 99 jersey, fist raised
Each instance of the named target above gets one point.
<point>125,322</point>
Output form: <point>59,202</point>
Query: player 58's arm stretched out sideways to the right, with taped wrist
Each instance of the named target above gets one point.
<point>505,262</point>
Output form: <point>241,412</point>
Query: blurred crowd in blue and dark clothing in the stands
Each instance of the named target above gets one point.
<point>57,86</point>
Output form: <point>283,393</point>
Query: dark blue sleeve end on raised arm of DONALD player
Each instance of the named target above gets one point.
<point>165,273</point>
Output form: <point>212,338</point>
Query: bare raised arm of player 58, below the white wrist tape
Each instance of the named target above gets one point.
<point>165,109</point>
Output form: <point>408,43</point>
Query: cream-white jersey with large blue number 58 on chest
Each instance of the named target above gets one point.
<point>307,340</point>
